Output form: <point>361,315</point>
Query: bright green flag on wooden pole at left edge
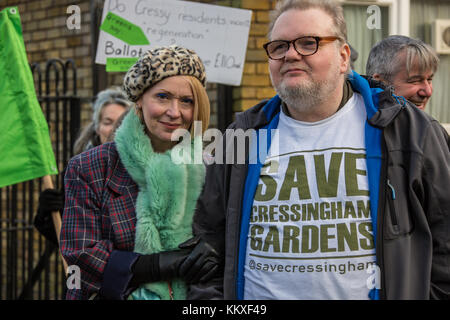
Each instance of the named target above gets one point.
<point>25,148</point>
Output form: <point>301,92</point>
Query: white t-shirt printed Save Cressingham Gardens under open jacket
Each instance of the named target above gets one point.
<point>310,234</point>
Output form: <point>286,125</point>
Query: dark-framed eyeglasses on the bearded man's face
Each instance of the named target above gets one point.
<point>305,46</point>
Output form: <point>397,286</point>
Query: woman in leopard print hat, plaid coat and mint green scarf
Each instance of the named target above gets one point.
<point>125,233</point>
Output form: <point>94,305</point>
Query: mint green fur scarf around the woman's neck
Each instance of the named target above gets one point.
<point>165,203</point>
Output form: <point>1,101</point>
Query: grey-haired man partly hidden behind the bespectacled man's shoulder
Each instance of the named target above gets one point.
<point>407,64</point>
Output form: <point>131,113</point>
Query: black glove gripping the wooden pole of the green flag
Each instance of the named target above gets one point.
<point>49,200</point>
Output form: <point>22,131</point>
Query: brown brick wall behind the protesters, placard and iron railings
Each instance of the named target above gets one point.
<point>46,36</point>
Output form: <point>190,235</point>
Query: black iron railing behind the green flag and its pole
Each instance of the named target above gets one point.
<point>30,266</point>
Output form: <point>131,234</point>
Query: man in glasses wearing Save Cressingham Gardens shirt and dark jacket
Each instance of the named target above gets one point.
<point>348,196</point>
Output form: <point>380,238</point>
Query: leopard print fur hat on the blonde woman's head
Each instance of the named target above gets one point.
<point>158,64</point>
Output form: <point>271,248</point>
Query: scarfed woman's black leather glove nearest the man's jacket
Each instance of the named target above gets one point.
<point>203,262</point>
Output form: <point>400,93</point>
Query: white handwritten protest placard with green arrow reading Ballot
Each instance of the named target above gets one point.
<point>218,34</point>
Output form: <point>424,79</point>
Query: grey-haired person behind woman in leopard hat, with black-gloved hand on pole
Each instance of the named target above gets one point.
<point>108,106</point>
